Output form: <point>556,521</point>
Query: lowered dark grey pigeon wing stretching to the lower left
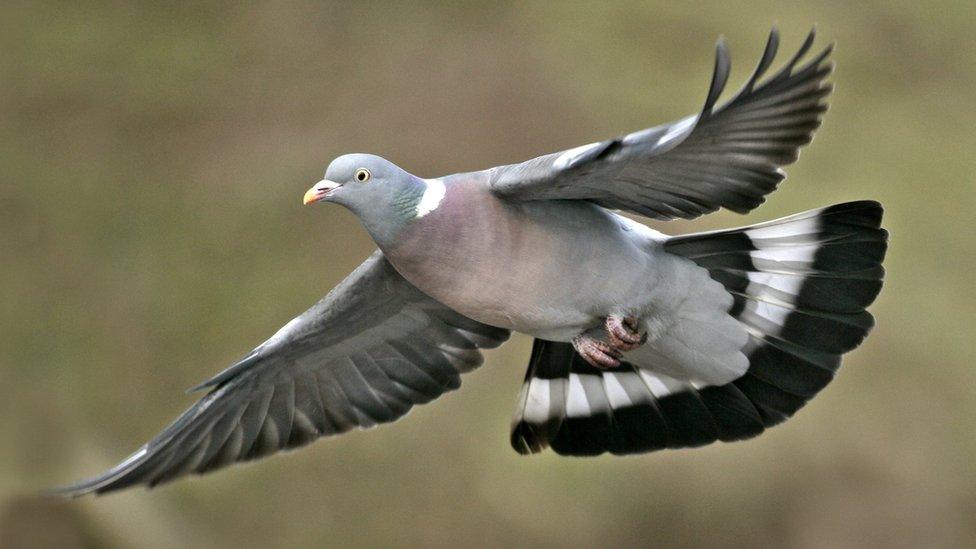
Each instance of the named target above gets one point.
<point>363,355</point>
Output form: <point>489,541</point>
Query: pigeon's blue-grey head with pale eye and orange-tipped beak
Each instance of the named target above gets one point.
<point>382,195</point>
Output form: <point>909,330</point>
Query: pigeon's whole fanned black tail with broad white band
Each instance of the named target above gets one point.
<point>800,286</point>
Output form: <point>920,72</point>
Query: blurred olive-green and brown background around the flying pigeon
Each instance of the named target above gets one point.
<point>153,159</point>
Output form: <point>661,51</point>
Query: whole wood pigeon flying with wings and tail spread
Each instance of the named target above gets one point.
<point>643,341</point>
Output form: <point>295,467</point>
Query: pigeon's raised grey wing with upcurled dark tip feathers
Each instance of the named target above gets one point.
<point>727,156</point>
